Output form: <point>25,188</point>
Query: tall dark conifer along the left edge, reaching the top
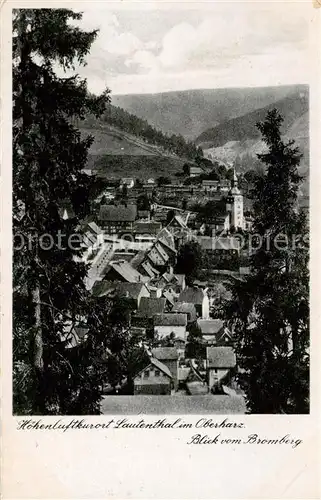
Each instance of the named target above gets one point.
<point>48,157</point>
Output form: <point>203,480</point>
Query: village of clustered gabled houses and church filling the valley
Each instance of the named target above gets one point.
<point>134,244</point>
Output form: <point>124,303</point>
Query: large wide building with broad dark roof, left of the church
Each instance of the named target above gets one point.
<point>116,219</point>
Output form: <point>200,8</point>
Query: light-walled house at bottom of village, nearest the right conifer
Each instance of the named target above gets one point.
<point>219,363</point>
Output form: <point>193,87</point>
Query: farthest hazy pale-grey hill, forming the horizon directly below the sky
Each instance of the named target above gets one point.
<point>191,112</point>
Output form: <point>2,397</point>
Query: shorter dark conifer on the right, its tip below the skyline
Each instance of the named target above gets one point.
<point>270,309</point>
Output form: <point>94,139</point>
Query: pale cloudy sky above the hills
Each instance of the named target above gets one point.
<point>187,46</point>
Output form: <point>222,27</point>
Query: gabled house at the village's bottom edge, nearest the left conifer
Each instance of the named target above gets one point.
<point>154,379</point>
